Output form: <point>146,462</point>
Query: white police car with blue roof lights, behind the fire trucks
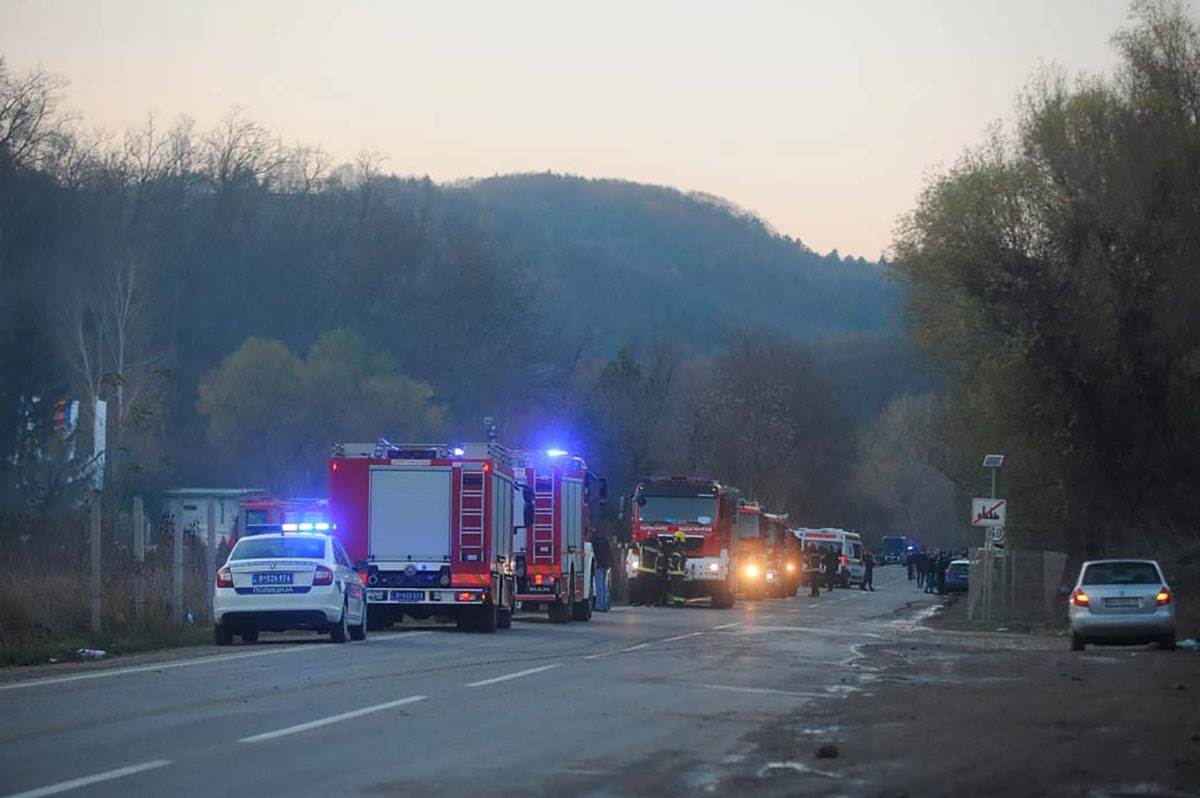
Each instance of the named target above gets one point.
<point>284,581</point>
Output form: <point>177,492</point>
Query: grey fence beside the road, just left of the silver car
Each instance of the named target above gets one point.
<point>1013,585</point>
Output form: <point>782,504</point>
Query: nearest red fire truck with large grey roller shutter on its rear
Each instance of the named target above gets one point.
<point>430,529</point>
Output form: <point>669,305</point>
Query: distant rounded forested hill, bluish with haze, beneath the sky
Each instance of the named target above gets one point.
<point>631,262</point>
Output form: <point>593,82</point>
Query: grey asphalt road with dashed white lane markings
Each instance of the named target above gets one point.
<point>638,701</point>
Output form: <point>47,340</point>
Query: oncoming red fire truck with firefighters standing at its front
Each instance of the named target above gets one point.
<point>706,512</point>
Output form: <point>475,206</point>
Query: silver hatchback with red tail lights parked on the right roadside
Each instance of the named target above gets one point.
<point>1121,602</point>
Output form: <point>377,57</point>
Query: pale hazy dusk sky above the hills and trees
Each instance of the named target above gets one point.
<point>823,117</point>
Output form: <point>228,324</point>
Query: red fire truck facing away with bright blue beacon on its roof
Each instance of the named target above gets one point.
<point>555,566</point>
